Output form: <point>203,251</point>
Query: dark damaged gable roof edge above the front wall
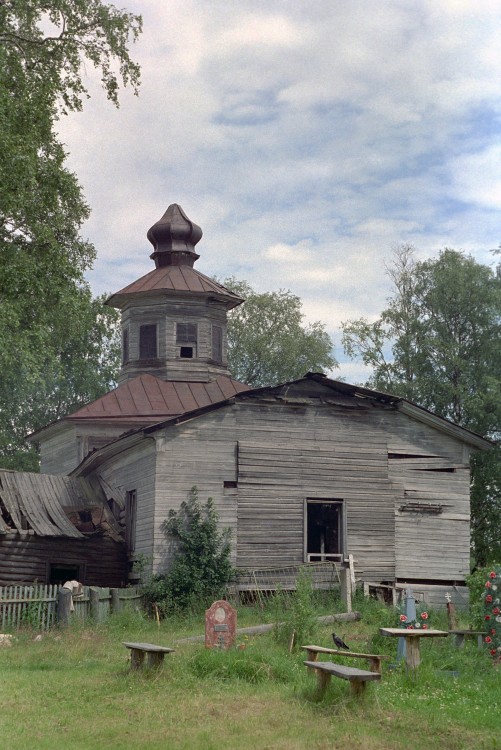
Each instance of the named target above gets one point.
<point>316,385</point>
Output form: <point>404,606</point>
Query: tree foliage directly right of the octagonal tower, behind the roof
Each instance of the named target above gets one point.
<point>267,340</point>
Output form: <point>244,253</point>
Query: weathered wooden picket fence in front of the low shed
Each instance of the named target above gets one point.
<point>35,606</point>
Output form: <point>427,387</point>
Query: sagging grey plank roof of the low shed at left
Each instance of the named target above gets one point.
<point>49,505</point>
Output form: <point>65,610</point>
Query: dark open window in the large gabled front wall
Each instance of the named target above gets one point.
<point>324,536</point>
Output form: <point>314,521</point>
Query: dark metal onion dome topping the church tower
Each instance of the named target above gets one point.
<point>174,238</point>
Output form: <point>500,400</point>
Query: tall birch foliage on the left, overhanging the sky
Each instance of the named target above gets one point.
<point>57,346</point>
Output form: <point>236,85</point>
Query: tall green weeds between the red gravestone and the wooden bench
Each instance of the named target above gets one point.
<point>295,613</point>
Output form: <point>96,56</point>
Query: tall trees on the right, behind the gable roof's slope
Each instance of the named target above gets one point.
<point>437,344</point>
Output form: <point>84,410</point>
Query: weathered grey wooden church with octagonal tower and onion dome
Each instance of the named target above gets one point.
<point>306,471</point>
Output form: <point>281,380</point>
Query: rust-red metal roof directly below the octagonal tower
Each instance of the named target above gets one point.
<point>147,399</point>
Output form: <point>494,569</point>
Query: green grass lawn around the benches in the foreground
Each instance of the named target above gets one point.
<point>73,689</point>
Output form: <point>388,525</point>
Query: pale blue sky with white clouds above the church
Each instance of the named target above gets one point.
<point>307,138</point>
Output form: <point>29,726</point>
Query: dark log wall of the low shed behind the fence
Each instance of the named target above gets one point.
<point>25,558</point>
